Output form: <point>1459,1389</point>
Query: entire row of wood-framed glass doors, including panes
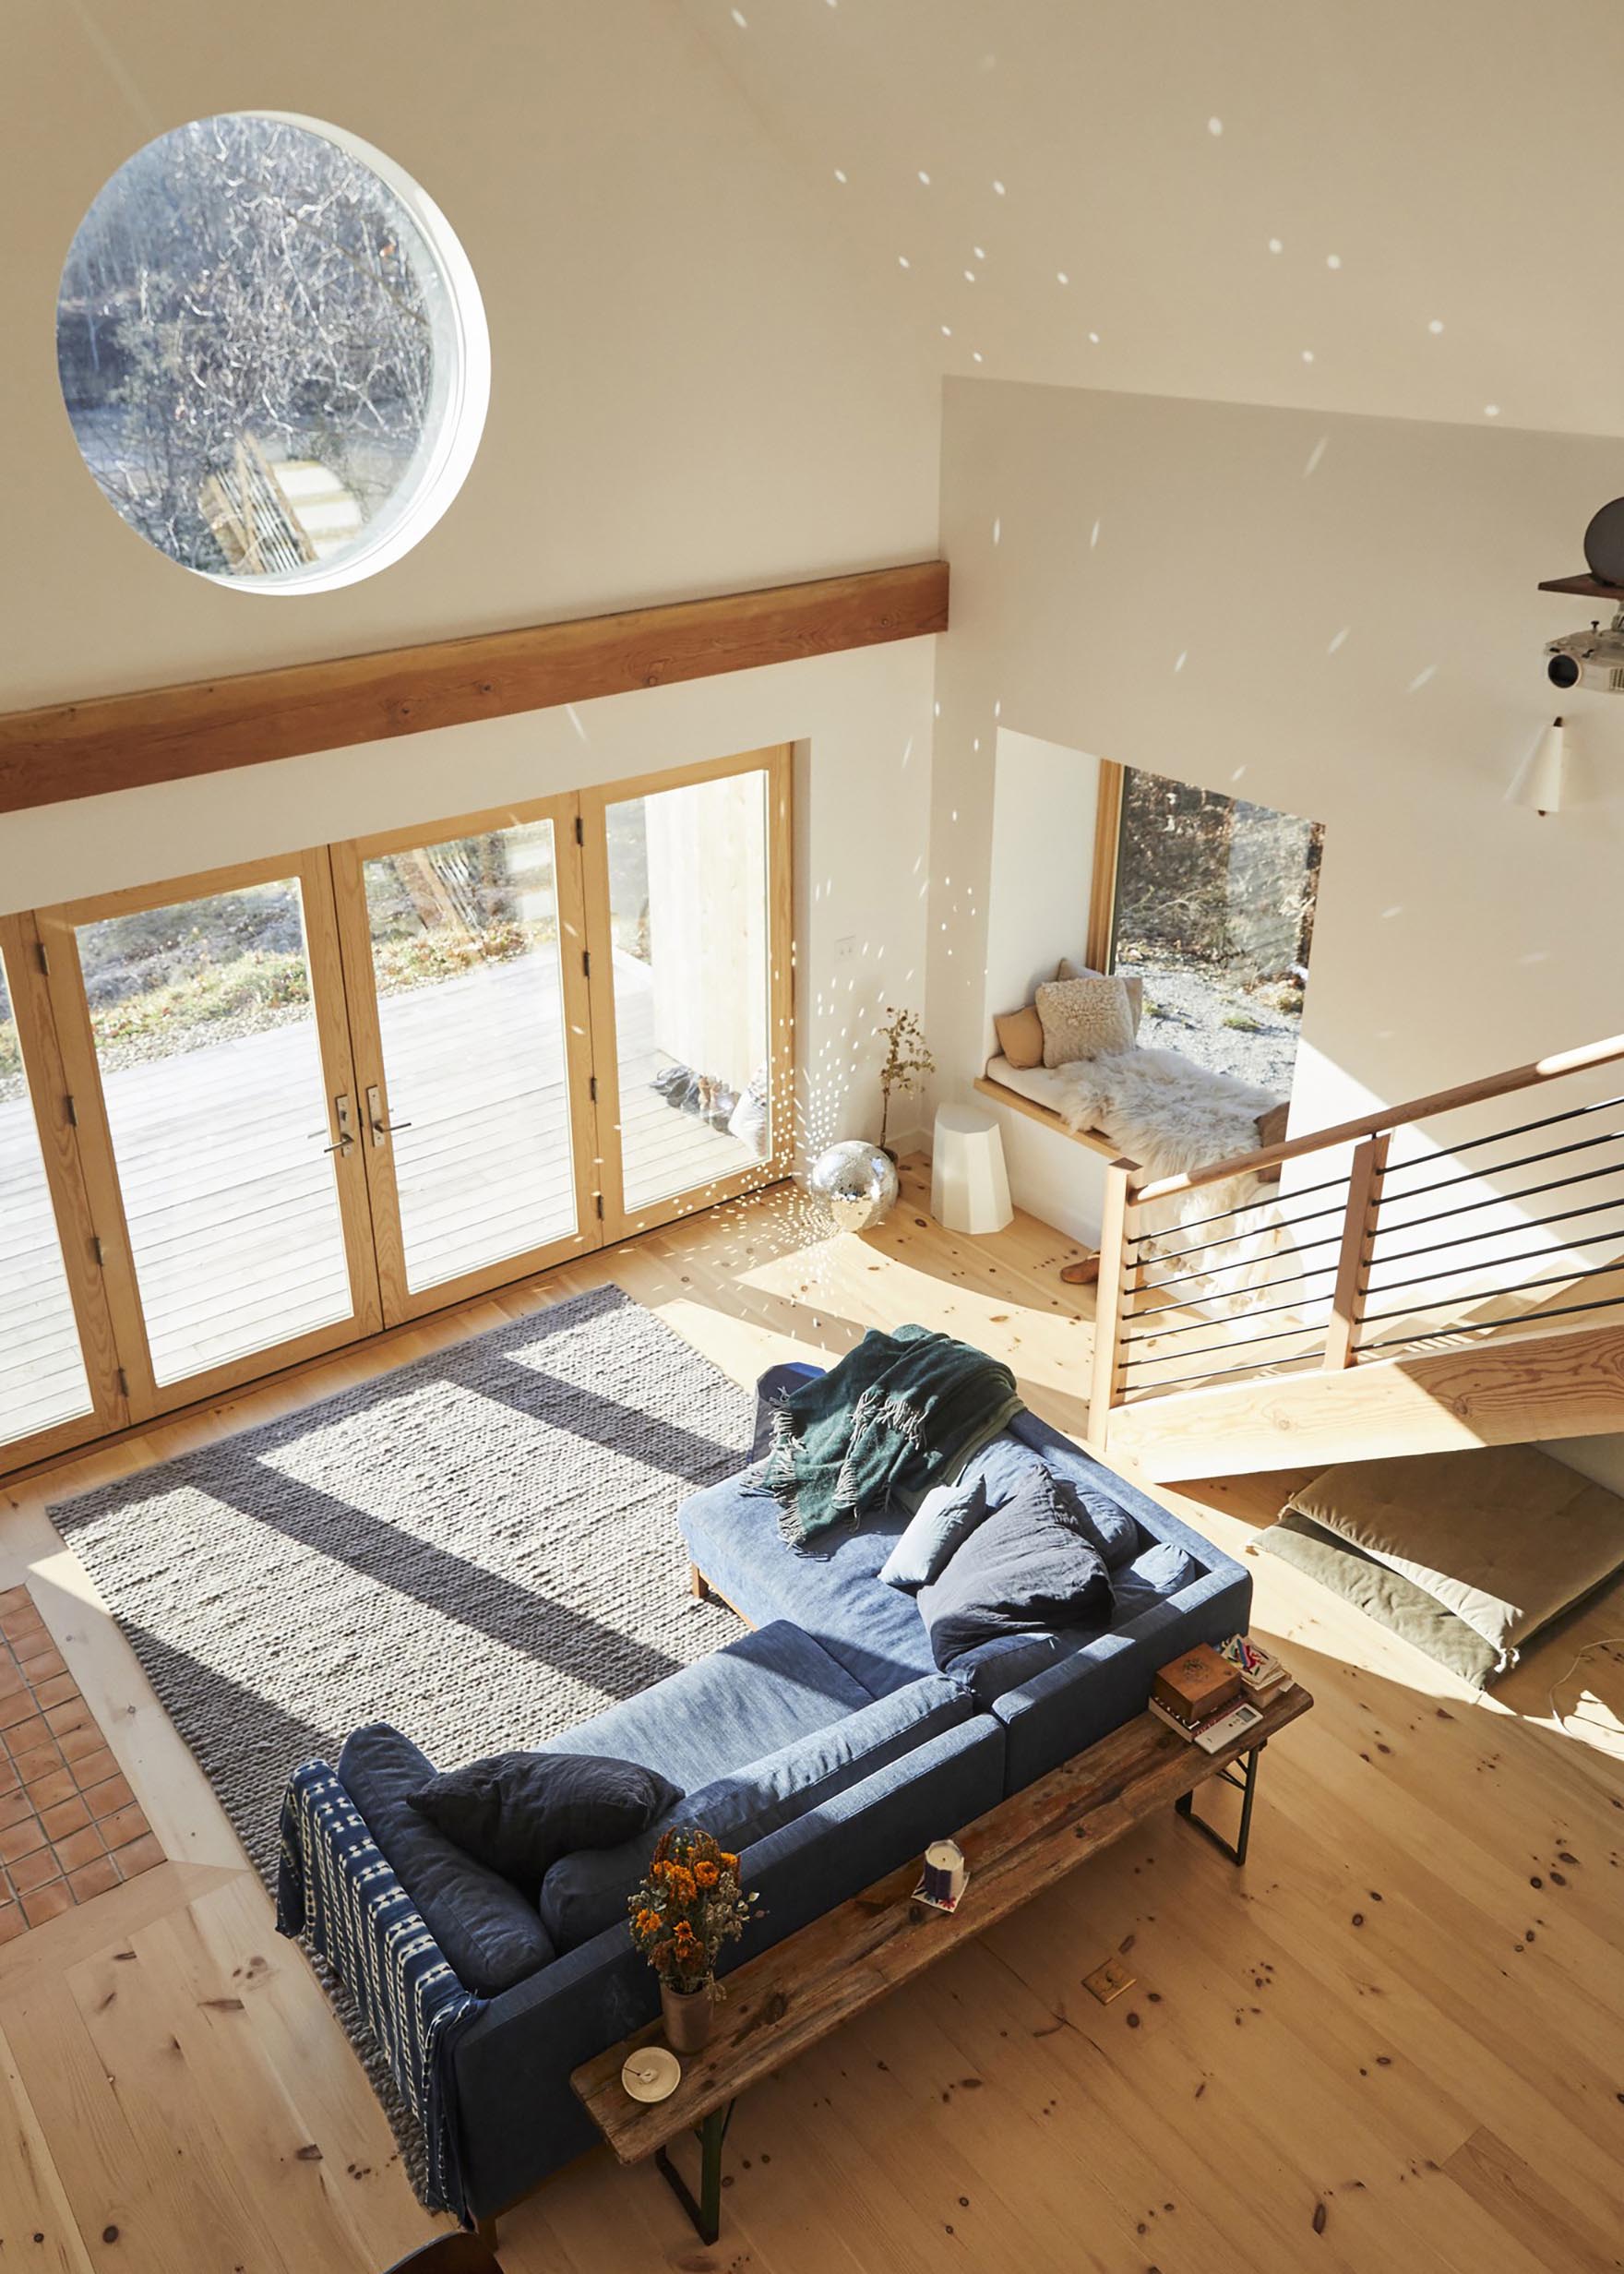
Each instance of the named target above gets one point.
<point>254,1115</point>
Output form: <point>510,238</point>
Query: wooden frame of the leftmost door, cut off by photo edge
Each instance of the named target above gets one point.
<point>72,1209</point>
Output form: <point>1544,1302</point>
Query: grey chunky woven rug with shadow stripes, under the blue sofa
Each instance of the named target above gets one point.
<point>479,1547</point>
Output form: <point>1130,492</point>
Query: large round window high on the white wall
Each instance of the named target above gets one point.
<point>272,351</point>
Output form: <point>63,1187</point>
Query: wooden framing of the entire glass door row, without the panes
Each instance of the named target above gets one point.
<point>76,1140</point>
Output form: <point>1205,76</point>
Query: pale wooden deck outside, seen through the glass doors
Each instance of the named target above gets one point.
<point>231,1197</point>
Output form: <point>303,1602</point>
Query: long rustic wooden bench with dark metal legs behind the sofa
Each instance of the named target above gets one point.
<point>831,1970</point>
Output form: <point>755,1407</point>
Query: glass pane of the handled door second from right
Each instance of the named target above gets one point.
<point>472,1034</point>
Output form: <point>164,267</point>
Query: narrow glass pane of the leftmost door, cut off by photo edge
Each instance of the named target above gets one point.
<point>42,1370</point>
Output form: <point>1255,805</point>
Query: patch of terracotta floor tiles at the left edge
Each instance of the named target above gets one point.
<point>69,1825</point>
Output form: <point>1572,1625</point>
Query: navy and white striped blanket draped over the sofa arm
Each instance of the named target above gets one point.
<point>340,1895</point>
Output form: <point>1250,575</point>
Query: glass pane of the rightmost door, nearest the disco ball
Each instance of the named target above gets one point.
<point>690,956</point>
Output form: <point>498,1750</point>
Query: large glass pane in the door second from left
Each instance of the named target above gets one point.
<point>213,1077</point>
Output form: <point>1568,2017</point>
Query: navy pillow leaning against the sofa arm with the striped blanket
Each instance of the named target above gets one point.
<point>488,1934</point>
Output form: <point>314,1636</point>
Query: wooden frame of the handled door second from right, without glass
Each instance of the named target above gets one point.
<point>349,888</point>
